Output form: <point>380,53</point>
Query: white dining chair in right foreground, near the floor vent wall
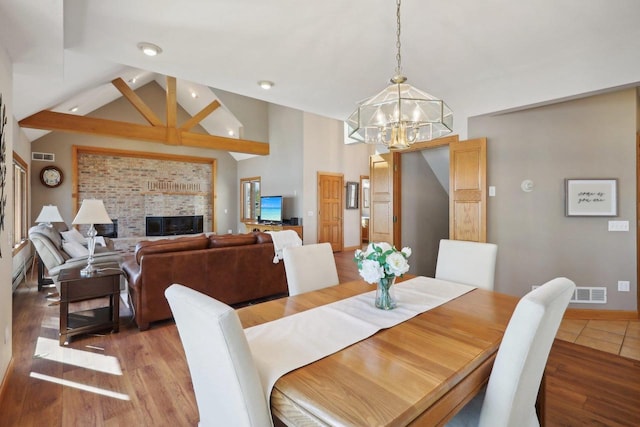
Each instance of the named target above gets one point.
<point>509,398</point>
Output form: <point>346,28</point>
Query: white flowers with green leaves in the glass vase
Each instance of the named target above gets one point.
<point>381,260</point>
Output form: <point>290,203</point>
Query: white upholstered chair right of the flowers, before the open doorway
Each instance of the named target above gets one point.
<point>471,263</point>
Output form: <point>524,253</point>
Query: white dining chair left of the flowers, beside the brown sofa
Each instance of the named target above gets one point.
<point>309,267</point>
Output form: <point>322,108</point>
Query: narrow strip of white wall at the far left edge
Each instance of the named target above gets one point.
<point>6,233</point>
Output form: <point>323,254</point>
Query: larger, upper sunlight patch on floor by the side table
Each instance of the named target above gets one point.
<point>50,349</point>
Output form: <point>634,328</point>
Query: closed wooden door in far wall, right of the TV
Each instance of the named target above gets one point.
<point>330,209</point>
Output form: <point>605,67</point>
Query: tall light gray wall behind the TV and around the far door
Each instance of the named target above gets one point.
<point>301,145</point>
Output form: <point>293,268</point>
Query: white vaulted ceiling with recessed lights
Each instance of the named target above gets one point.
<point>481,57</point>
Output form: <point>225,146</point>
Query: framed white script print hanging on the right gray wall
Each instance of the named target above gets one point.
<point>591,197</point>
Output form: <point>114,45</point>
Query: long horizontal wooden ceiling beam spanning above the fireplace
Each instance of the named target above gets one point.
<point>63,122</point>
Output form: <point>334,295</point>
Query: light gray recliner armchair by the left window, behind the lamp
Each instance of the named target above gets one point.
<point>48,244</point>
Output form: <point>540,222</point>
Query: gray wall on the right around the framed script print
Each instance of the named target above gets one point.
<point>593,137</point>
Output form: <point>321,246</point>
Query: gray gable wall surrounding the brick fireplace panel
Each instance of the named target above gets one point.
<point>154,96</point>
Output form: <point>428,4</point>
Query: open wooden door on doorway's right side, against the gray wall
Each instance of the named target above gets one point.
<point>468,190</point>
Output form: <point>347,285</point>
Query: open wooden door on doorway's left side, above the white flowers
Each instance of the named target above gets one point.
<point>384,187</point>
